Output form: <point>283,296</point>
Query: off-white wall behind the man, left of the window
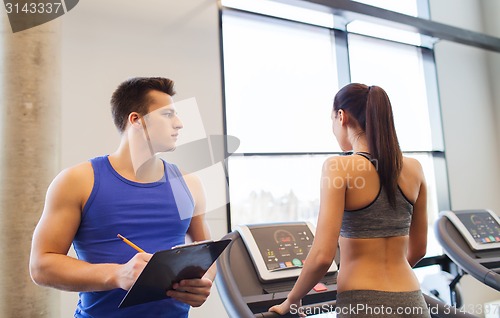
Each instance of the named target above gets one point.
<point>105,42</point>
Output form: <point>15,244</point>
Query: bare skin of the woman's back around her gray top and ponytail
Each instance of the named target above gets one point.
<point>376,263</point>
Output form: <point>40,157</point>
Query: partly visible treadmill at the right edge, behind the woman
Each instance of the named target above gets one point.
<point>471,239</point>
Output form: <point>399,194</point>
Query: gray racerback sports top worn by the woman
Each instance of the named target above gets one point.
<point>379,218</point>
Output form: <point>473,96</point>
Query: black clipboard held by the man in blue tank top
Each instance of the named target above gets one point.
<point>171,266</point>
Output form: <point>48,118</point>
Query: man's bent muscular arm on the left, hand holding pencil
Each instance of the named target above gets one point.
<point>49,263</point>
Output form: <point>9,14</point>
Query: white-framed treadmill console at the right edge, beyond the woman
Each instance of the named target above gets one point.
<point>480,228</point>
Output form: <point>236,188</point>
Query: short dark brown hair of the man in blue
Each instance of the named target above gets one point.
<point>131,96</point>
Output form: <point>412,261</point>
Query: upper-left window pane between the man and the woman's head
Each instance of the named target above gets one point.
<point>279,78</point>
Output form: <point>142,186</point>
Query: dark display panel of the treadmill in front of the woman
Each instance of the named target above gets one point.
<point>283,247</point>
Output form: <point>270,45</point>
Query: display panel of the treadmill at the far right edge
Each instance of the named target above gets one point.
<point>482,226</point>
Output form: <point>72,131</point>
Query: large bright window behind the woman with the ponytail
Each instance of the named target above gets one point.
<point>281,74</point>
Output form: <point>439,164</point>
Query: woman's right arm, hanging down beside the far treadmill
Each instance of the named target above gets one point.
<point>418,230</point>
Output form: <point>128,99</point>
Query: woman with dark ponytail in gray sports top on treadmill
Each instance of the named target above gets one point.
<point>373,203</point>
